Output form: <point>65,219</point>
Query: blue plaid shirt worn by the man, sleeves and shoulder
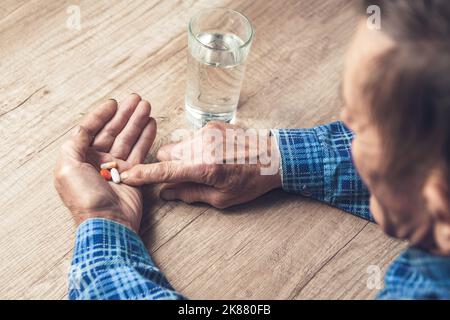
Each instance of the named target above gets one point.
<point>111,262</point>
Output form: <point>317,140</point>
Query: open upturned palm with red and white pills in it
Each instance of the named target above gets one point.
<point>109,133</point>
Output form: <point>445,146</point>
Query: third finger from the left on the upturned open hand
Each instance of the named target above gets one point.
<point>126,139</point>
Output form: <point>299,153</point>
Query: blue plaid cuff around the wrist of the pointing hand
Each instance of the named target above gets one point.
<point>301,165</point>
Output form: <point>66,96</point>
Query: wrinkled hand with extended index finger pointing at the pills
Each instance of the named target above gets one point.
<point>220,178</point>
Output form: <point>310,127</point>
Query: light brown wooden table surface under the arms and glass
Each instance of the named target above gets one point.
<point>281,246</point>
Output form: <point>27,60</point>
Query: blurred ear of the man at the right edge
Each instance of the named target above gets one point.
<point>437,196</point>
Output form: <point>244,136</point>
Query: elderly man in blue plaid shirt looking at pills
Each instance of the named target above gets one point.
<point>396,124</point>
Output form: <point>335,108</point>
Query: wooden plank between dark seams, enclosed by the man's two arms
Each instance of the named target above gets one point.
<point>264,250</point>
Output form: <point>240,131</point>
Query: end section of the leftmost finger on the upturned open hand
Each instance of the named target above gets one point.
<point>95,120</point>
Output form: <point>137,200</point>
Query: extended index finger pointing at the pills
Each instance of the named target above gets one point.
<point>170,171</point>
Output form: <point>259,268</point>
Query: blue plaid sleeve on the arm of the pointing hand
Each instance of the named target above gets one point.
<point>317,163</point>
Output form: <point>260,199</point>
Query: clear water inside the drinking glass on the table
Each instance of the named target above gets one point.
<point>214,77</point>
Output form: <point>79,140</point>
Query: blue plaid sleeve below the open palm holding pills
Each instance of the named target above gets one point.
<point>111,262</point>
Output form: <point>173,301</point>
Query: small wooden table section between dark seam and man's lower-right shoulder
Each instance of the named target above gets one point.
<point>353,272</point>
